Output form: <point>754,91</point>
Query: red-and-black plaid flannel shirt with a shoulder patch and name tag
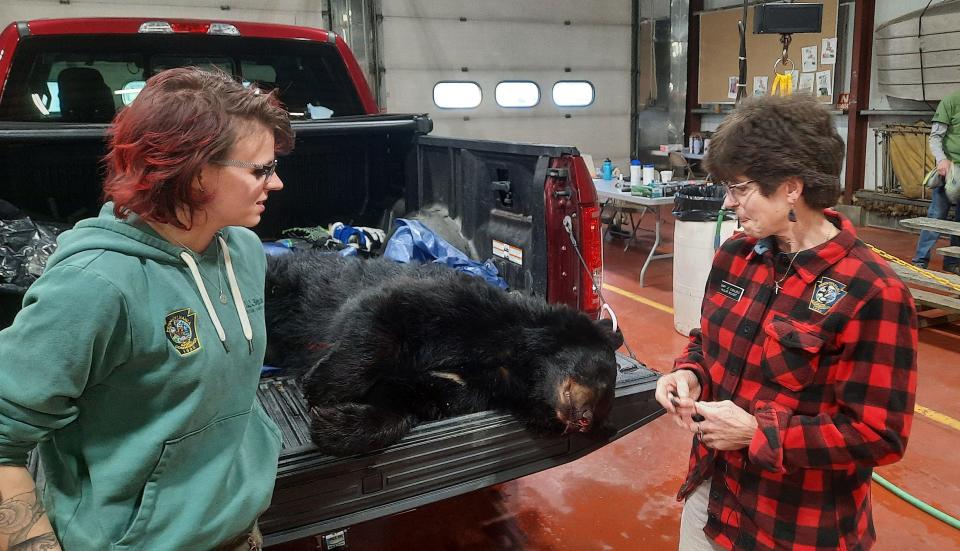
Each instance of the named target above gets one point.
<point>827,366</point>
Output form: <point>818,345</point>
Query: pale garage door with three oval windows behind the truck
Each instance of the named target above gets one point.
<point>425,42</point>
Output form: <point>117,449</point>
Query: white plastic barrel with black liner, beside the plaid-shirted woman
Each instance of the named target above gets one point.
<point>692,257</point>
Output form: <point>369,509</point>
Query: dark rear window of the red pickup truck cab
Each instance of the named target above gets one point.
<point>89,78</point>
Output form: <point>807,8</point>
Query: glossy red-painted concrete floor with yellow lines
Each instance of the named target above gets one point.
<point>622,497</point>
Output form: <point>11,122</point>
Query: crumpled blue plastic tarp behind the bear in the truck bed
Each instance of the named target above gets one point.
<point>414,242</point>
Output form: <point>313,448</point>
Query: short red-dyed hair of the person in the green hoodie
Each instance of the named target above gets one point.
<point>182,119</point>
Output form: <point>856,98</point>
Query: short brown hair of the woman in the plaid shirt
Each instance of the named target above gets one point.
<point>772,138</point>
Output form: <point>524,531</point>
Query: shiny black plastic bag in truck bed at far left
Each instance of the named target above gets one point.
<point>25,246</point>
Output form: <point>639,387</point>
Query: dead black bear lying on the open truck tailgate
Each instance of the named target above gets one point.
<point>383,346</point>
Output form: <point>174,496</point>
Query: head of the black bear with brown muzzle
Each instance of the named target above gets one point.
<point>578,375</point>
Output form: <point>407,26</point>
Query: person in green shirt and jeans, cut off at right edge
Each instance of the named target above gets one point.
<point>945,145</point>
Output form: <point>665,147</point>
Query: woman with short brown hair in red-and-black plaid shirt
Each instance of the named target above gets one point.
<point>802,376</point>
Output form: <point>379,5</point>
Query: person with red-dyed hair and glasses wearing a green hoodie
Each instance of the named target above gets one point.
<point>135,360</point>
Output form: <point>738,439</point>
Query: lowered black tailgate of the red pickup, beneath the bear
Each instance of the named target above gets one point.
<point>437,460</point>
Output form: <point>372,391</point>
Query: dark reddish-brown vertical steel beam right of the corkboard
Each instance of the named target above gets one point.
<point>859,97</point>
